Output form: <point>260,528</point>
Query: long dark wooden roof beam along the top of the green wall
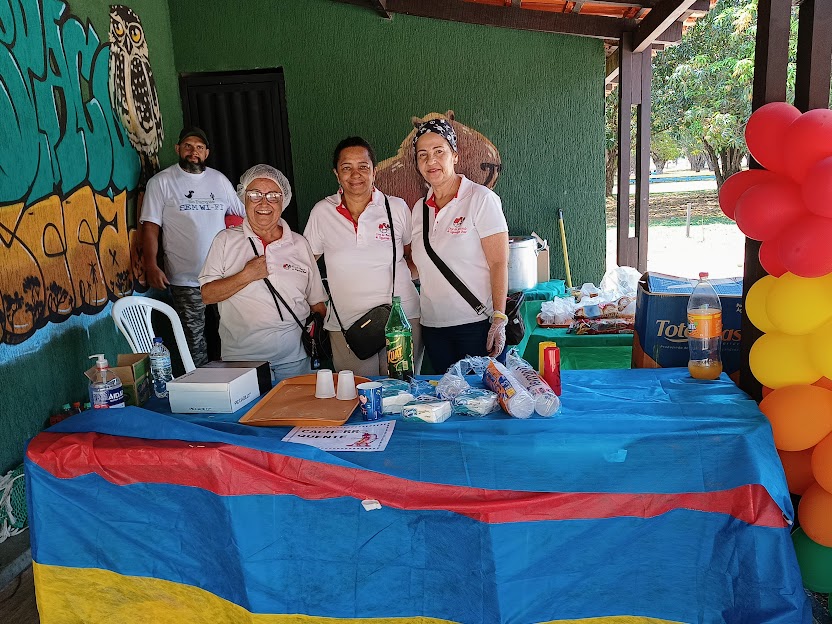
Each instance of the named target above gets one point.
<point>518,18</point>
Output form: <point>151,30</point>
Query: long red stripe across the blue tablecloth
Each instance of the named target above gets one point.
<point>235,470</point>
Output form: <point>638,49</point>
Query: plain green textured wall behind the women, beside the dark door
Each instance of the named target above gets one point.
<point>538,97</point>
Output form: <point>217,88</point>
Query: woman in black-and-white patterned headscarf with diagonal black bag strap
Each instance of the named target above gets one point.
<point>467,231</point>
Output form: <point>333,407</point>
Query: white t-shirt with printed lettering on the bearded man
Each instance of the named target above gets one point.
<point>190,208</point>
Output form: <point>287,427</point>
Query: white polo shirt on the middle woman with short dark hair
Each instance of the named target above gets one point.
<point>359,256</point>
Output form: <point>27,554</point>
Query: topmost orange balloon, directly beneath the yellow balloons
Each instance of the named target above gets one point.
<point>800,416</point>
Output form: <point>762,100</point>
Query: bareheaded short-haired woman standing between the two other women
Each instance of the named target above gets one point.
<point>356,230</point>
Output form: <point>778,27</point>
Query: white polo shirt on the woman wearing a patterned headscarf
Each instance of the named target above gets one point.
<point>455,233</point>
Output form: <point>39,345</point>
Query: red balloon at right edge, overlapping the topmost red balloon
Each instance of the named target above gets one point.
<point>807,141</point>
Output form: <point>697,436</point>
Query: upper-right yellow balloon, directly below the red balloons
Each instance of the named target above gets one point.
<point>799,305</point>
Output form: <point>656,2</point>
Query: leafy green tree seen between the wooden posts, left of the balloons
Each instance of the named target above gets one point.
<point>702,87</point>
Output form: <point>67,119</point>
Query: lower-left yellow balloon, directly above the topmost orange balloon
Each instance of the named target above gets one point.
<point>778,360</point>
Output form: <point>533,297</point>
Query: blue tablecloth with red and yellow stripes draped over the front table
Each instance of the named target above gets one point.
<point>649,495</point>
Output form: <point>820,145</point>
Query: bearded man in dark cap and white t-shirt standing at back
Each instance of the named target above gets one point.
<point>188,201</point>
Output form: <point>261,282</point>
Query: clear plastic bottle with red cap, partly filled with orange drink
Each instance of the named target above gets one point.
<point>704,331</point>
